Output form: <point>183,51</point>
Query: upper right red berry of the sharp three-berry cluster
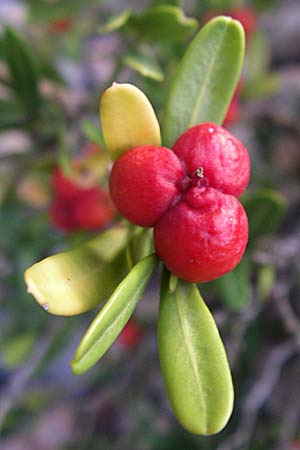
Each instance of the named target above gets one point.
<point>224,159</point>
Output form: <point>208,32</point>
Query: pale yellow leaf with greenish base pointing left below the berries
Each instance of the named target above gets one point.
<point>73,282</point>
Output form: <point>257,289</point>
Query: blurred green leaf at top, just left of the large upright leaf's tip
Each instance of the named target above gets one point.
<point>163,23</point>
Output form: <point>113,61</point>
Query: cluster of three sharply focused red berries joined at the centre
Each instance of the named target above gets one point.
<point>189,195</point>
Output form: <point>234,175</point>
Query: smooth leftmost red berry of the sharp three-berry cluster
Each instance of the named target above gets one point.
<point>143,183</point>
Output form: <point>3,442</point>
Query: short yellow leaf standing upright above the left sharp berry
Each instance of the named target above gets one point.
<point>128,119</point>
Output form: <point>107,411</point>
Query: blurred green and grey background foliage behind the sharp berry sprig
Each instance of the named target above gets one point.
<point>56,57</point>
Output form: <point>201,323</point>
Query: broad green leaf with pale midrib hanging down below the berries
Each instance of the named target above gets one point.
<point>193,360</point>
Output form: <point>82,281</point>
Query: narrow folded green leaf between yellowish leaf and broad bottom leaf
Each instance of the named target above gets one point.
<point>112,318</point>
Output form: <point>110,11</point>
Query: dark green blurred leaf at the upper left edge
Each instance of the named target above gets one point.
<point>23,70</point>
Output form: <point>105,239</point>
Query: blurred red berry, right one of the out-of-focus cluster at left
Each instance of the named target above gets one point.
<point>93,209</point>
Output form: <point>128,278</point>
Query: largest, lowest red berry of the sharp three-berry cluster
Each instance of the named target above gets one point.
<point>204,236</point>
